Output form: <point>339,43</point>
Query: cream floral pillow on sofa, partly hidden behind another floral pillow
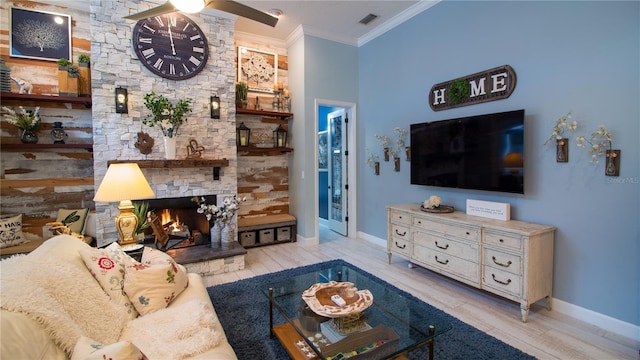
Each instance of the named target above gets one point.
<point>107,266</point>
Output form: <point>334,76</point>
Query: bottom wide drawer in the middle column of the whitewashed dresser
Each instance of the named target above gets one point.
<point>465,269</point>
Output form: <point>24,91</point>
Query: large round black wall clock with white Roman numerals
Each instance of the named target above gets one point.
<point>171,46</point>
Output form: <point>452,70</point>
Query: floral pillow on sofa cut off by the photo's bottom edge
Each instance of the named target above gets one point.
<point>87,349</point>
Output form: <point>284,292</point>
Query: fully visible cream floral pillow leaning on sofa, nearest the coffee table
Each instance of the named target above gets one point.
<point>153,283</point>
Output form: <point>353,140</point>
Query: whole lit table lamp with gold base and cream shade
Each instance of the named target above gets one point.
<point>124,182</point>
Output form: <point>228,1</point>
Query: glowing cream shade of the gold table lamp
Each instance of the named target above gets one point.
<point>123,182</point>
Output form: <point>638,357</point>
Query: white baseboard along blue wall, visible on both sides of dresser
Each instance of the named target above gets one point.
<point>602,321</point>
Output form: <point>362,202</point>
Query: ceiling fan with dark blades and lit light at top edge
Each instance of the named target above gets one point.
<point>192,6</point>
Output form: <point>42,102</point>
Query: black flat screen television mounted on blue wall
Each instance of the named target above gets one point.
<point>483,152</point>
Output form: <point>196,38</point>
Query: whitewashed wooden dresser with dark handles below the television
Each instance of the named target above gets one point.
<point>513,259</point>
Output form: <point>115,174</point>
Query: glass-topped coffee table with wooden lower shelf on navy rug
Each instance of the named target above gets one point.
<point>388,329</point>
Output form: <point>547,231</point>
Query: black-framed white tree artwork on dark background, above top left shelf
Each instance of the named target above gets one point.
<point>40,35</point>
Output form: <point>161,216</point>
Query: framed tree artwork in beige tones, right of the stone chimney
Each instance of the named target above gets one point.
<point>259,69</point>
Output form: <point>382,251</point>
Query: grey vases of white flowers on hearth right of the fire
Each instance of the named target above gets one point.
<point>221,219</point>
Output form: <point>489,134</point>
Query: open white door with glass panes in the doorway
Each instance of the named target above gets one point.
<point>337,136</point>
